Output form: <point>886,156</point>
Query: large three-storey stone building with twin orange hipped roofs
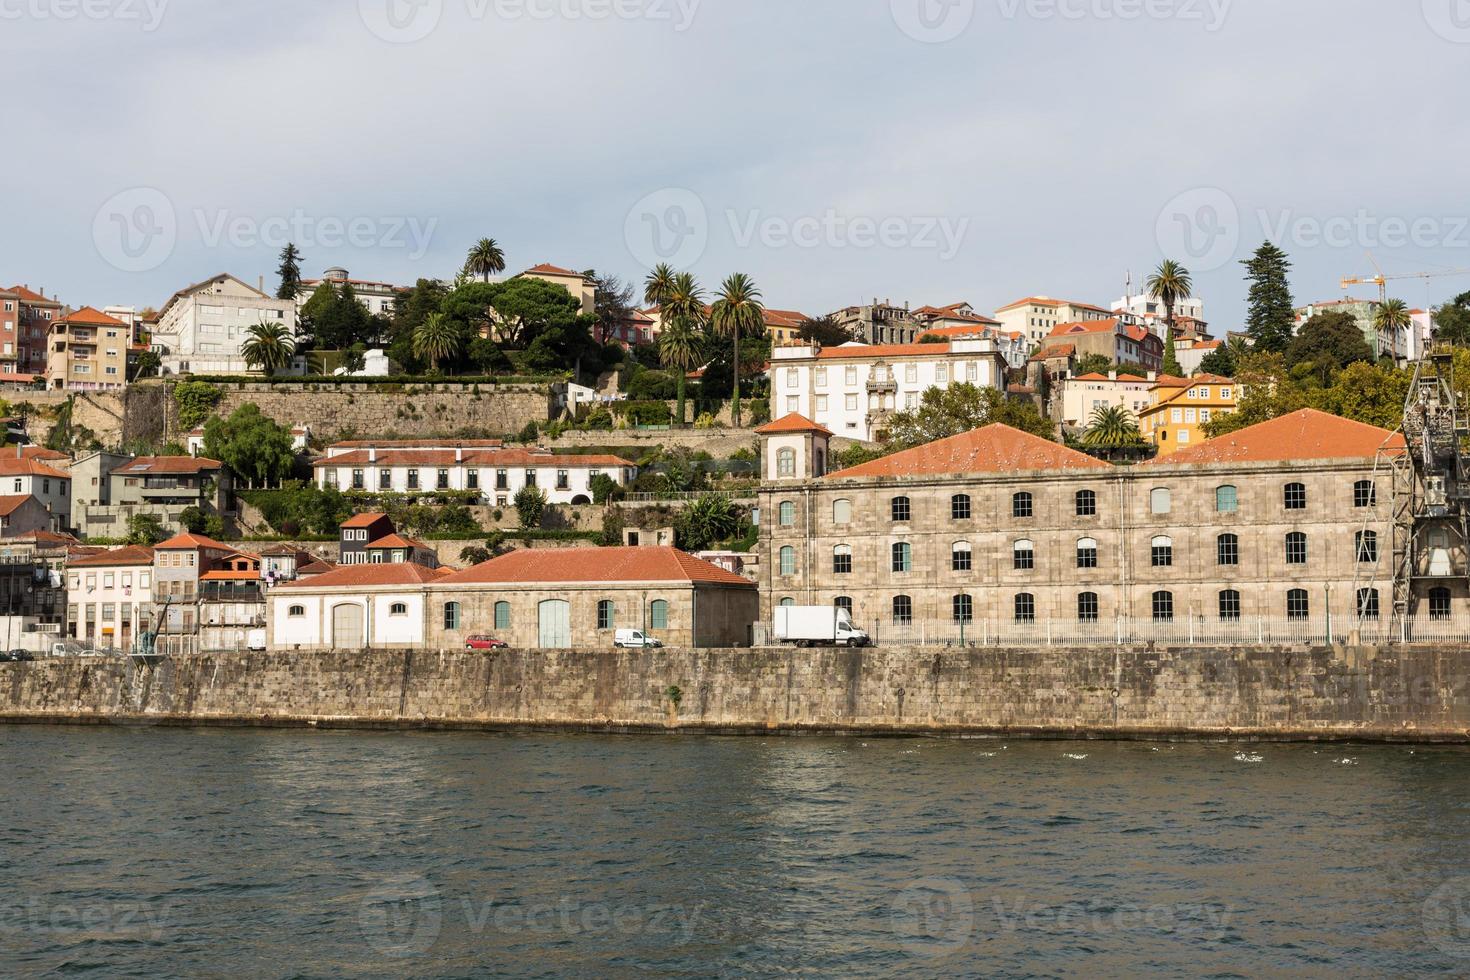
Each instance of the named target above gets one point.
<point>1005,536</point>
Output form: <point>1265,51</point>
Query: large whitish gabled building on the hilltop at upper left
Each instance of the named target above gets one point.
<point>204,327</point>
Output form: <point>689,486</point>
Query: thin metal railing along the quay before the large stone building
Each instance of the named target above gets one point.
<point>1184,631</point>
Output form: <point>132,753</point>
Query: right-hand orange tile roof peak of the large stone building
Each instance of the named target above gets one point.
<point>1303,436</point>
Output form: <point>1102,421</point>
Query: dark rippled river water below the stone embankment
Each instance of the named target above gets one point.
<point>273,854</point>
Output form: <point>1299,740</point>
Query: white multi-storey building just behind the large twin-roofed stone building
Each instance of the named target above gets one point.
<point>853,390</point>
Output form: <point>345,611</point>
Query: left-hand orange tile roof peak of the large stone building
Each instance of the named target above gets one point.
<point>996,449</point>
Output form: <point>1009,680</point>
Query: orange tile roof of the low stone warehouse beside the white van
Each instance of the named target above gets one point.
<point>598,565</point>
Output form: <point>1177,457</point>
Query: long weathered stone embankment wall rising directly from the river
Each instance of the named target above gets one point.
<point>1413,694</point>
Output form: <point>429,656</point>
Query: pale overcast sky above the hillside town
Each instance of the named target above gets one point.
<point>837,151</point>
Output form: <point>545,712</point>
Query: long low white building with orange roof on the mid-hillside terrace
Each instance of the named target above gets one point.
<point>493,472</point>
